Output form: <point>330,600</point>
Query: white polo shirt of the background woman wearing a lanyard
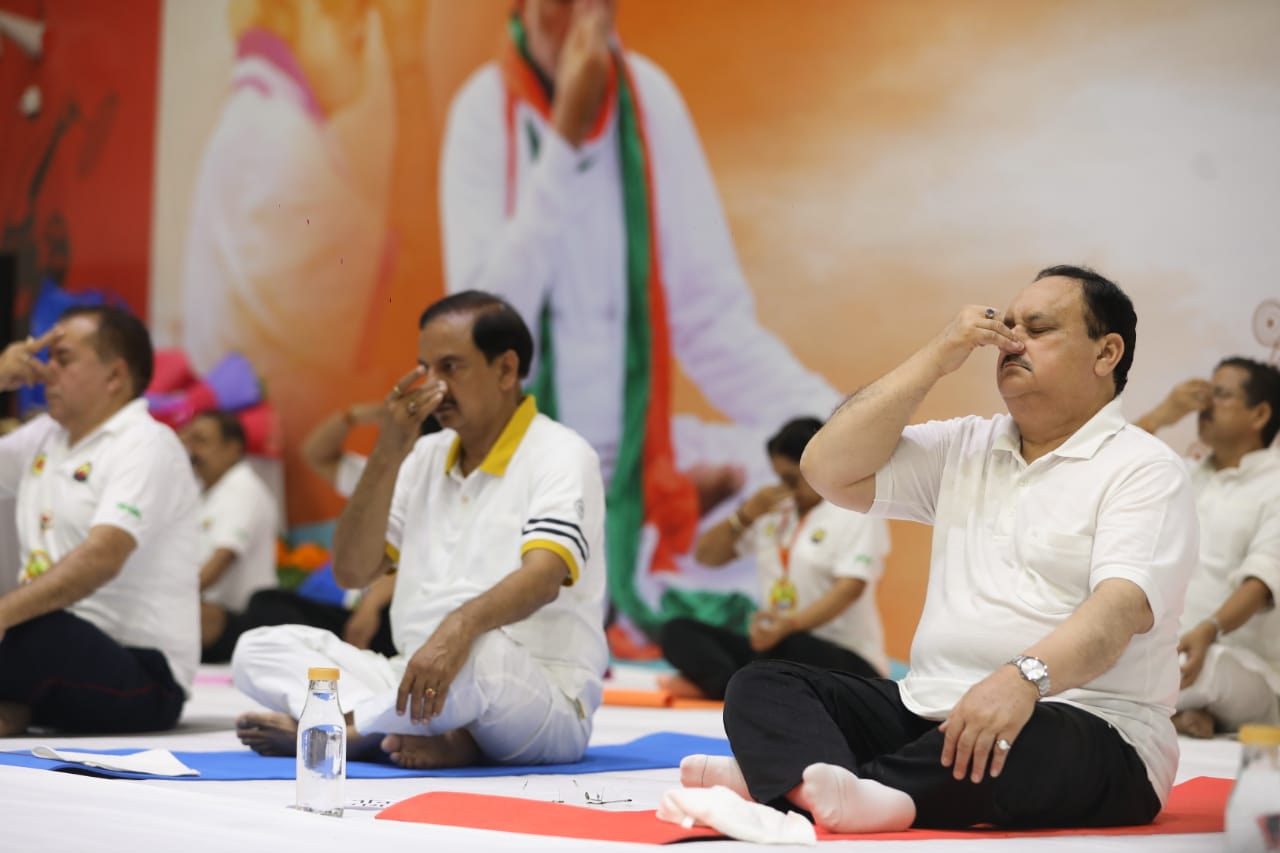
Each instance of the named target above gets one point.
<point>828,544</point>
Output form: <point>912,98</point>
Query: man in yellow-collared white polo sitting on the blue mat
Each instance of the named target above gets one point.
<point>497,527</point>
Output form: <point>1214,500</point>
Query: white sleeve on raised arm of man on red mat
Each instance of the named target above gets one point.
<point>908,485</point>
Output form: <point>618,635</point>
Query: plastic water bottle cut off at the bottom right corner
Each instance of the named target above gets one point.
<point>1254,810</point>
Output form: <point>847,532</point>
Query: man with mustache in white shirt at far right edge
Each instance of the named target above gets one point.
<point>1231,631</point>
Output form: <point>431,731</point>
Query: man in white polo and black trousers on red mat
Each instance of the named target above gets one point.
<point>1044,670</point>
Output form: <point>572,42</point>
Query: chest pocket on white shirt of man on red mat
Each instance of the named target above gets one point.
<point>1054,569</point>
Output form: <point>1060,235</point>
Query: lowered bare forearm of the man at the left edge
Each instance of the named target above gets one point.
<point>86,568</point>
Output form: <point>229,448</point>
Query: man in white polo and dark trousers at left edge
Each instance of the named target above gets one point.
<point>102,635</point>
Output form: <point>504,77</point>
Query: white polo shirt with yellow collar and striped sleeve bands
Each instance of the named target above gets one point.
<point>456,537</point>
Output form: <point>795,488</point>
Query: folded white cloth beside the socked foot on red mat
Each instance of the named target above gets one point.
<point>726,813</point>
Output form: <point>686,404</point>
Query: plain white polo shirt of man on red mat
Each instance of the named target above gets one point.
<point>1018,548</point>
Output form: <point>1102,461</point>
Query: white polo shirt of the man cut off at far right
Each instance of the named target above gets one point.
<point>1240,513</point>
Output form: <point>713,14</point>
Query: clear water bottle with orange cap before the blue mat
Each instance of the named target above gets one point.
<point>322,746</point>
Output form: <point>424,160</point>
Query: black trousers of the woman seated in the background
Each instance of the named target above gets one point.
<point>710,656</point>
